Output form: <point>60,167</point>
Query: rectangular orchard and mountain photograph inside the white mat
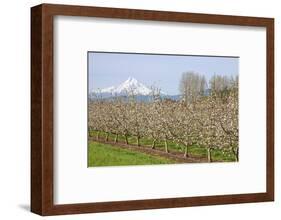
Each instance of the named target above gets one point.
<point>146,109</point>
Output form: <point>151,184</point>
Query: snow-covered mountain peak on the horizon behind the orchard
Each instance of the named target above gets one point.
<point>130,86</point>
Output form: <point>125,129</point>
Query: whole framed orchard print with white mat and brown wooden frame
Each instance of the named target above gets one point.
<point>138,109</point>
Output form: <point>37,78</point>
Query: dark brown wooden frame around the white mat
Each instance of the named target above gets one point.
<point>42,108</point>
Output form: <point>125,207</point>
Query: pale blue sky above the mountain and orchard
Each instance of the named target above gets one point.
<point>163,71</point>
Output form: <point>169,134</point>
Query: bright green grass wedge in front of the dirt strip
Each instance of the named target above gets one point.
<point>107,155</point>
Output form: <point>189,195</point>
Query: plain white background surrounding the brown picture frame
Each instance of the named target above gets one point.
<point>15,110</point>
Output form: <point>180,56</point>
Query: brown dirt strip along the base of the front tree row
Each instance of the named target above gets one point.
<point>172,155</point>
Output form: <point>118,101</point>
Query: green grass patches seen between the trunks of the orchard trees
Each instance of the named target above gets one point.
<point>194,150</point>
